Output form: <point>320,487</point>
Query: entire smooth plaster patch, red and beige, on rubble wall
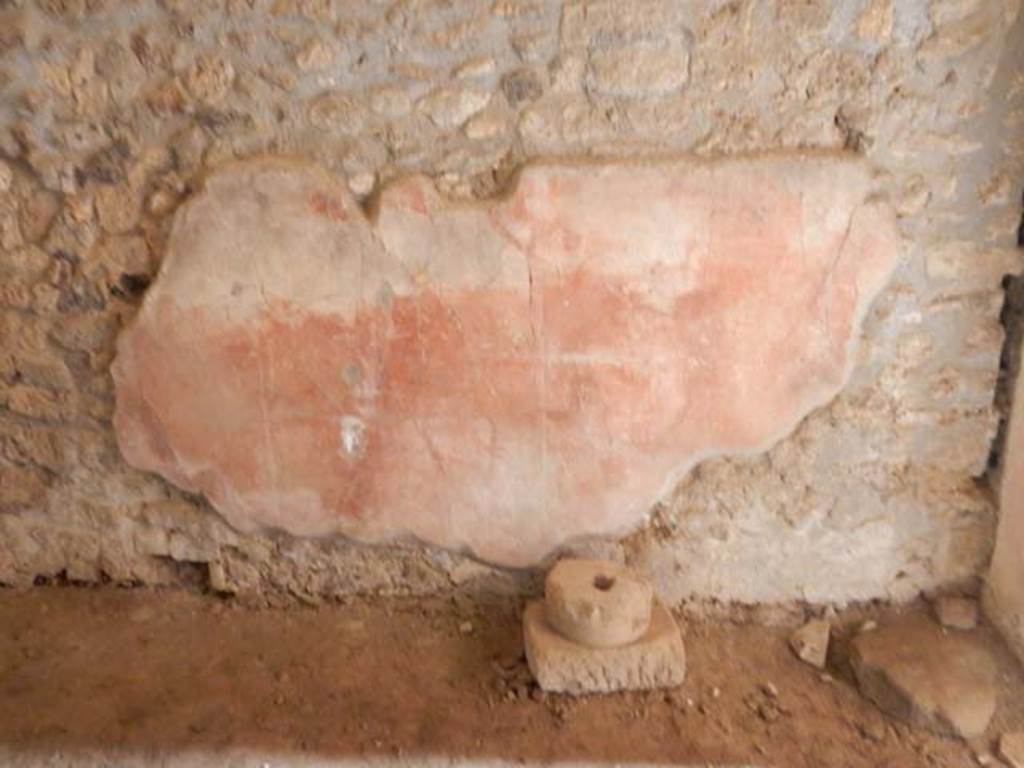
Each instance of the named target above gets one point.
<point>499,376</point>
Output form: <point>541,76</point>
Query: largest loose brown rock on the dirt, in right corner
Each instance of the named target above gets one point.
<point>918,673</point>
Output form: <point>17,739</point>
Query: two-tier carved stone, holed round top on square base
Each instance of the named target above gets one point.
<point>655,659</point>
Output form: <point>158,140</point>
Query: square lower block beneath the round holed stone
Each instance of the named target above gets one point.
<point>656,661</point>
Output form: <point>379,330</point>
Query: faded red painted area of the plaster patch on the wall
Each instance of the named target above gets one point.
<point>506,418</point>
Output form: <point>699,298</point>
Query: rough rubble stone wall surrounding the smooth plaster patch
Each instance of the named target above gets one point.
<point>112,113</point>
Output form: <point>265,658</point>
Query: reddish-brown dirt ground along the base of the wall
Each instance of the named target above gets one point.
<point>145,670</point>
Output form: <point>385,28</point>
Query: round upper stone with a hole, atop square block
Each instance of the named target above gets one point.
<point>596,604</point>
